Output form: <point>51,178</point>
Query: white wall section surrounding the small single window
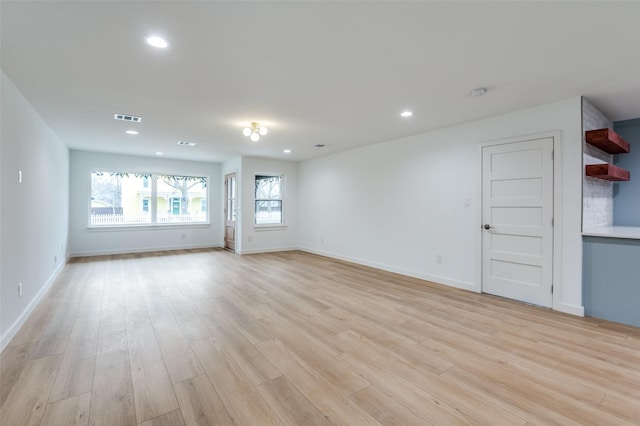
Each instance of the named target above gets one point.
<point>255,239</point>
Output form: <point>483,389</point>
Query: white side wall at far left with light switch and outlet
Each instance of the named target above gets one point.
<point>34,213</point>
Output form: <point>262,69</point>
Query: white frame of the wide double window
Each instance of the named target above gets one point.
<point>152,178</point>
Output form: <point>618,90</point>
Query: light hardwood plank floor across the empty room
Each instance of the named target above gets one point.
<point>210,337</point>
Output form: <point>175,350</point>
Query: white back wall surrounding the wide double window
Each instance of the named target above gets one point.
<point>85,241</point>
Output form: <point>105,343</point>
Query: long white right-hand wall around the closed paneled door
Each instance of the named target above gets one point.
<point>398,204</point>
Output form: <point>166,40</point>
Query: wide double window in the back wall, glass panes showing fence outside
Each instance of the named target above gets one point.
<point>123,198</point>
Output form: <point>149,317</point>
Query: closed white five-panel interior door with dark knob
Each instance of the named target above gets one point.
<point>517,212</point>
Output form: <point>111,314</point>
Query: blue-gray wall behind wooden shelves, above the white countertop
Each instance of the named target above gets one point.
<point>626,201</point>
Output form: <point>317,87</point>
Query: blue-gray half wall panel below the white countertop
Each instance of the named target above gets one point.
<point>611,279</point>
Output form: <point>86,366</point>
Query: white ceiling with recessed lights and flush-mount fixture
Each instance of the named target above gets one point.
<point>336,73</point>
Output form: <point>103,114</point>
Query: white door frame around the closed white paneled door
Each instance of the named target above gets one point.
<point>556,268</point>
